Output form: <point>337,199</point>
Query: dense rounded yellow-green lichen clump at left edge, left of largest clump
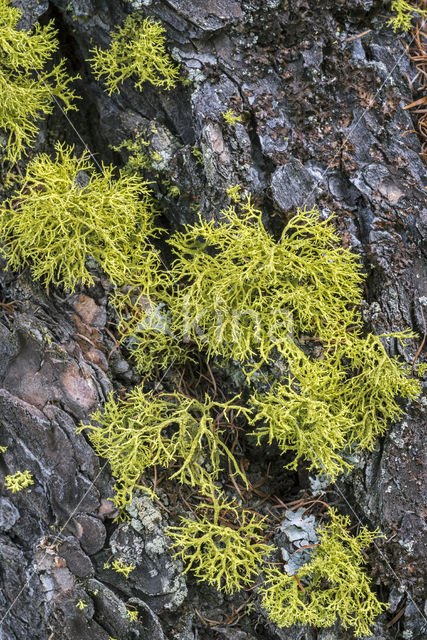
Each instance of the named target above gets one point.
<point>65,212</point>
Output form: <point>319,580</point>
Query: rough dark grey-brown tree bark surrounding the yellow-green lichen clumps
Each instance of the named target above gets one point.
<point>323,122</point>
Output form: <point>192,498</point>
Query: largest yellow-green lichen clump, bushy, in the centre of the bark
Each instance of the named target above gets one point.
<point>242,295</point>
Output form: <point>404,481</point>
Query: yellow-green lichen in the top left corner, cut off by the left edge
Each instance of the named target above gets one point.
<point>27,88</point>
